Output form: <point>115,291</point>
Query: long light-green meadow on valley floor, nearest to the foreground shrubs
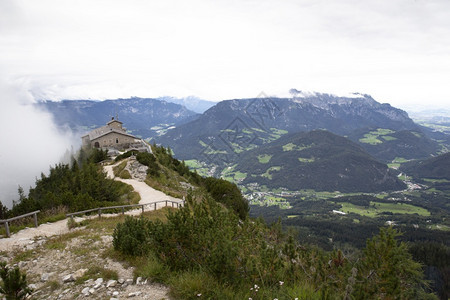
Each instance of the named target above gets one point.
<point>376,208</point>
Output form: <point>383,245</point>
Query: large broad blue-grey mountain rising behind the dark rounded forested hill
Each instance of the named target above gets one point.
<point>233,126</point>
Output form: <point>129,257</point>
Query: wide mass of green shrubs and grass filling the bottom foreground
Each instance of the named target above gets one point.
<point>205,251</point>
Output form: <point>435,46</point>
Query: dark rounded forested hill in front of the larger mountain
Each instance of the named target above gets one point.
<point>317,160</point>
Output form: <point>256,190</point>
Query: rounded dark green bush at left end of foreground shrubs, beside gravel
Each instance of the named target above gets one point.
<point>131,237</point>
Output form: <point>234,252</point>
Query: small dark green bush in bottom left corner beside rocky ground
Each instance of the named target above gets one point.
<point>14,283</point>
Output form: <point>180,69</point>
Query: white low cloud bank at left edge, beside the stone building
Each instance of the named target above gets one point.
<point>30,141</point>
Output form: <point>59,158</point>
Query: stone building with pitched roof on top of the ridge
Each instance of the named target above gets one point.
<point>114,136</point>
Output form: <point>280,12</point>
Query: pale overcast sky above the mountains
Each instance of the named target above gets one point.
<point>396,50</point>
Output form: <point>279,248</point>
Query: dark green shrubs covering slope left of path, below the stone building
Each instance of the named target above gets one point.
<point>81,185</point>
